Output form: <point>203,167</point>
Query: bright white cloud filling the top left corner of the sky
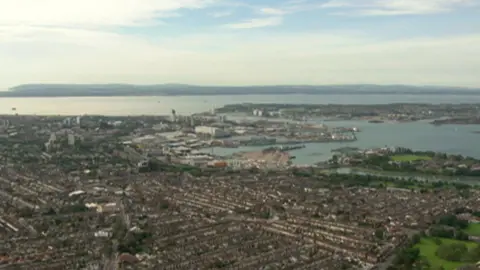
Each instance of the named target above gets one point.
<point>90,13</point>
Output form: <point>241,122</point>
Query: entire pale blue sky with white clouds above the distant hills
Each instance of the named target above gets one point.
<point>249,42</point>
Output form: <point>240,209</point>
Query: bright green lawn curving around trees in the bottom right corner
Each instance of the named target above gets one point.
<point>428,248</point>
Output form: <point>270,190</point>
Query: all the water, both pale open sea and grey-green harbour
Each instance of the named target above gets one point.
<point>454,139</point>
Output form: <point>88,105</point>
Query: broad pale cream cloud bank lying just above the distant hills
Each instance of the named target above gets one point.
<point>63,55</point>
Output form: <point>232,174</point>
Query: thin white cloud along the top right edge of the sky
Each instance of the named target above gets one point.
<point>398,7</point>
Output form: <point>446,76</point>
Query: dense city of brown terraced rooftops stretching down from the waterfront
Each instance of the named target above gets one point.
<point>150,192</point>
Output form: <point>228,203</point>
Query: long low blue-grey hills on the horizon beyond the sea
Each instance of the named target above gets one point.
<point>78,90</point>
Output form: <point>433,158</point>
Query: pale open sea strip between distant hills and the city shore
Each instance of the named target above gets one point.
<point>194,104</point>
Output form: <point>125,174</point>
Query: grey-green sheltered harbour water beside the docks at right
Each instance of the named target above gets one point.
<point>417,135</point>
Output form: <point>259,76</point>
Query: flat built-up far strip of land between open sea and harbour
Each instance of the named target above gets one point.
<point>375,113</point>
